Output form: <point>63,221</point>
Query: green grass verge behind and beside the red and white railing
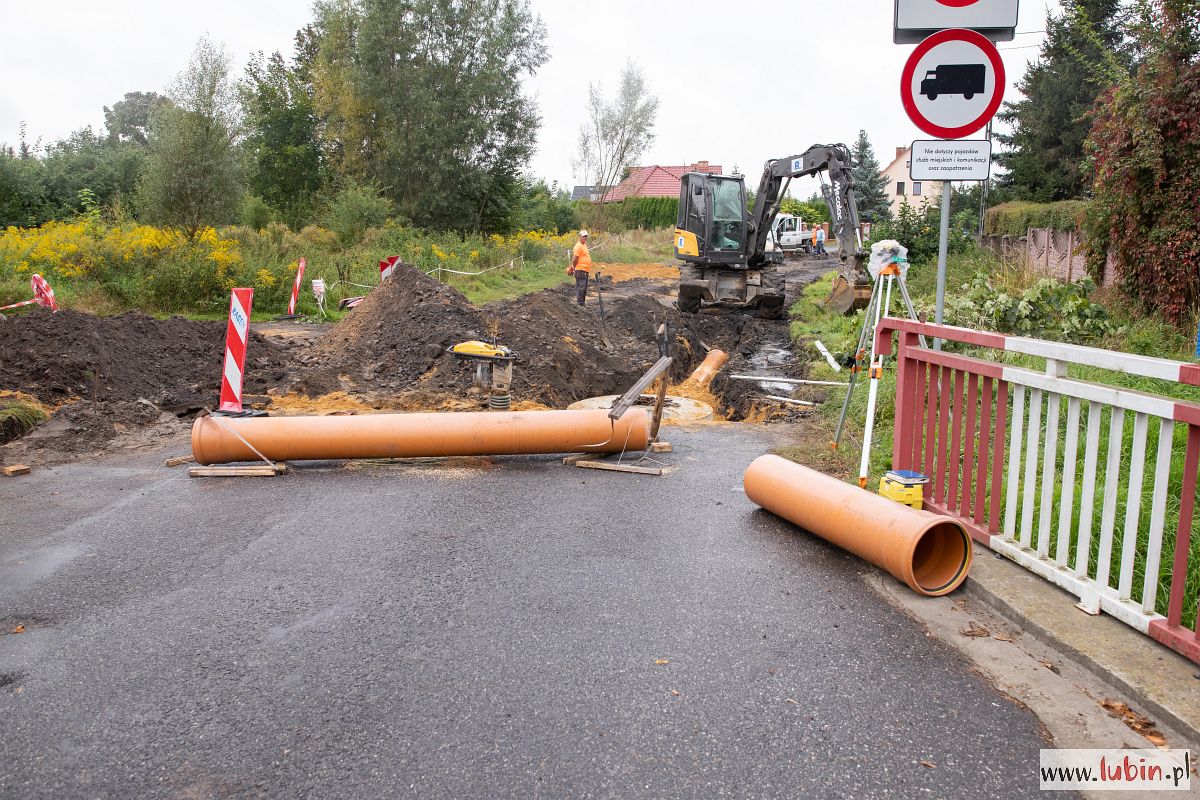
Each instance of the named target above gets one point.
<point>1138,334</point>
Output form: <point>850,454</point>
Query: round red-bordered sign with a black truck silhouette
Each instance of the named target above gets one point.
<point>953,83</point>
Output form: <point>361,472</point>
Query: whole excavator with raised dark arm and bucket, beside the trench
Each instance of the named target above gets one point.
<point>728,252</point>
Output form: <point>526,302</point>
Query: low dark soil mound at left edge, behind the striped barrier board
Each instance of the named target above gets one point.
<point>175,364</point>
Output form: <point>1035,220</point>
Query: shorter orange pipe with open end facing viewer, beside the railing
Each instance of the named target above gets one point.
<point>927,551</point>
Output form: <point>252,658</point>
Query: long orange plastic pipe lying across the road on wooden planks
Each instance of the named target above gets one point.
<point>410,436</point>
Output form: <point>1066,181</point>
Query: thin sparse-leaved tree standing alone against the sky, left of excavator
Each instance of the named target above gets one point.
<point>615,135</point>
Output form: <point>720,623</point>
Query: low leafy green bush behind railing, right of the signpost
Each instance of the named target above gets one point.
<point>1046,310</point>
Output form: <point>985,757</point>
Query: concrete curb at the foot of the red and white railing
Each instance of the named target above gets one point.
<point>1163,683</point>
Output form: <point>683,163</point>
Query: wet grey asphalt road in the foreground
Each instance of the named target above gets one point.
<point>469,629</point>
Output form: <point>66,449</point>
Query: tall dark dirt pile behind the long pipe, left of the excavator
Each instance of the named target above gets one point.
<point>395,344</point>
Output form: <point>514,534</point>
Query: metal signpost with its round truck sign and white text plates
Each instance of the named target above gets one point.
<point>952,86</point>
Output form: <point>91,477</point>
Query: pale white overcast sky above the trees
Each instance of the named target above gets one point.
<point>739,82</point>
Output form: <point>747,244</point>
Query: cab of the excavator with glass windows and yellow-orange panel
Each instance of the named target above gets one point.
<point>712,224</point>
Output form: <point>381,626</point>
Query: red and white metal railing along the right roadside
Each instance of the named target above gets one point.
<point>1003,447</point>
